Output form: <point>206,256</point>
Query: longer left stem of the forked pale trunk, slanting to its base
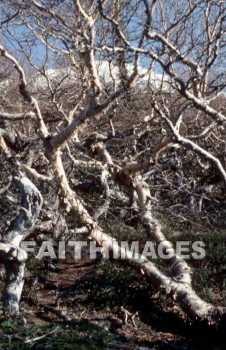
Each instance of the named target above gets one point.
<point>178,288</point>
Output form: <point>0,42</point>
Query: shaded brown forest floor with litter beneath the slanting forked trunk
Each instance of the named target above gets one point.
<point>83,305</point>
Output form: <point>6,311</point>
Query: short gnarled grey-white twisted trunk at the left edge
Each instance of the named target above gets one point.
<point>11,255</point>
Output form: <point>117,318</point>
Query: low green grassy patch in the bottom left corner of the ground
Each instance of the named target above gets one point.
<point>81,335</point>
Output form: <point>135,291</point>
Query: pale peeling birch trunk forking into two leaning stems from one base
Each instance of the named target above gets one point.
<point>178,286</point>
